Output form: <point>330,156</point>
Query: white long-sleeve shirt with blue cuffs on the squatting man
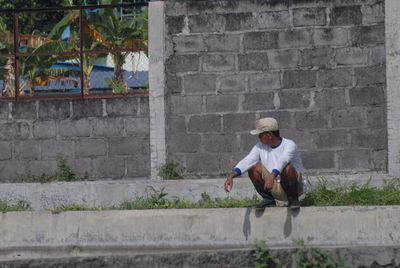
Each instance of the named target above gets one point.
<point>274,159</point>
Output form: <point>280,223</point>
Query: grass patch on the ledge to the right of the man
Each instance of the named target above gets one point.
<point>323,194</point>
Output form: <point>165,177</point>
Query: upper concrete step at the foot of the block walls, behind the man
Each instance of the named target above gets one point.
<point>109,193</point>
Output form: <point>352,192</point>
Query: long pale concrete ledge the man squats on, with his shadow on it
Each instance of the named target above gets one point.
<point>76,233</point>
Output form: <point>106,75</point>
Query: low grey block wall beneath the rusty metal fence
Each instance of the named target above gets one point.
<point>106,138</point>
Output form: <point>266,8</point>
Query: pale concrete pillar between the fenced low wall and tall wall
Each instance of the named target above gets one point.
<point>157,86</point>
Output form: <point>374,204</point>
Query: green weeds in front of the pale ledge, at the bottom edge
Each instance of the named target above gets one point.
<point>306,257</point>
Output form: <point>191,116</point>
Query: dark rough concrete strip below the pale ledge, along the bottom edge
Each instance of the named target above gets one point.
<point>356,256</point>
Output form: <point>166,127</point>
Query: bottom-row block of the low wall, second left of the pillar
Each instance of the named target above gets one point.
<point>109,168</point>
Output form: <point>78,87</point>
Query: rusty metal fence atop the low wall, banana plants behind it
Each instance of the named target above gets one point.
<point>78,52</point>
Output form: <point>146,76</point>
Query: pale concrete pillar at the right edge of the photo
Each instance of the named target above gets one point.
<point>392,26</point>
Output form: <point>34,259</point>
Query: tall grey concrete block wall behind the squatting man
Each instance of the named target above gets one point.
<point>316,66</point>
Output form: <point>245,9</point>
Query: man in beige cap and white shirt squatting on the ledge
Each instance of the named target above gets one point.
<point>274,167</point>
